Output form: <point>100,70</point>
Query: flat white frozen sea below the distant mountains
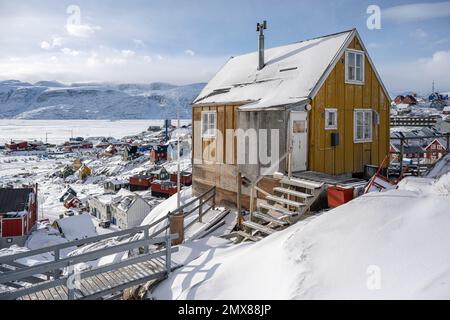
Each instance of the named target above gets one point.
<point>59,131</point>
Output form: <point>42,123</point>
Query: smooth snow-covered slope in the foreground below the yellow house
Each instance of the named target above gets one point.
<point>391,245</point>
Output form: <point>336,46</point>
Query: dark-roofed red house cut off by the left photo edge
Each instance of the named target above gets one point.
<point>18,215</point>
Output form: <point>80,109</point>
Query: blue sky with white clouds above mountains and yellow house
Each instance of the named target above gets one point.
<point>187,41</point>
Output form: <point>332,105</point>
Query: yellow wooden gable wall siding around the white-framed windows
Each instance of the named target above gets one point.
<point>347,157</point>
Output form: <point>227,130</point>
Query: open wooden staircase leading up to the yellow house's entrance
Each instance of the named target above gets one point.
<point>286,205</point>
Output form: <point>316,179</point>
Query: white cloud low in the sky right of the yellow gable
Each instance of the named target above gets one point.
<point>417,75</point>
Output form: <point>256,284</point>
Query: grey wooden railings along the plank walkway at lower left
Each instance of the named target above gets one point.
<point>54,269</point>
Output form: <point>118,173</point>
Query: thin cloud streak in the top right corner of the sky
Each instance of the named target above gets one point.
<point>417,12</point>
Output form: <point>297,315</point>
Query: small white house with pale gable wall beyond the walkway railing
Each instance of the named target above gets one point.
<point>129,210</point>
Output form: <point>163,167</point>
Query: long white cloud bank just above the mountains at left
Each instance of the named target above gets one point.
<point>109,65</point>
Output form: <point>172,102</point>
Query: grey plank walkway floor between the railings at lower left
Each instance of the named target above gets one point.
<point>101,285</point>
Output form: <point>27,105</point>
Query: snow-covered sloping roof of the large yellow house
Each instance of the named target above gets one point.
<point>290,74</point>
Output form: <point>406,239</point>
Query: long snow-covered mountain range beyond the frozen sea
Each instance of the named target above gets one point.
<point>54,100</point>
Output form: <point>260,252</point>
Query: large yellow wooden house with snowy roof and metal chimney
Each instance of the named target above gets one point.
<point>323,97</point>
